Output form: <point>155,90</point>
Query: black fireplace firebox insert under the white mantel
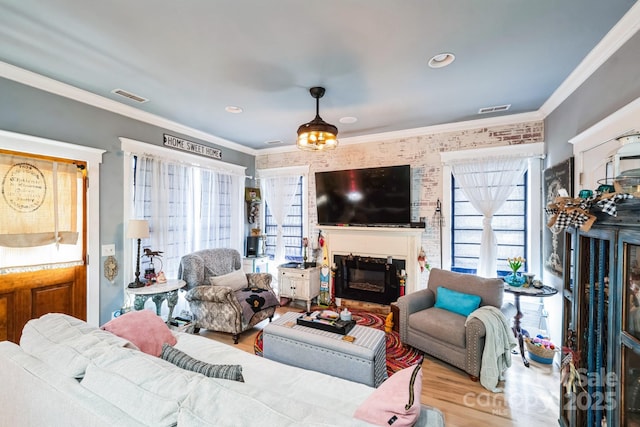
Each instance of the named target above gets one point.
<point>367,279</point>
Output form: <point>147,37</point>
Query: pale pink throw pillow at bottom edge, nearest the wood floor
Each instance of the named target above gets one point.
<point>396,402</point>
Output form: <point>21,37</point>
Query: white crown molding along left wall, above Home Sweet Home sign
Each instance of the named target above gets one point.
<point>50,85</point>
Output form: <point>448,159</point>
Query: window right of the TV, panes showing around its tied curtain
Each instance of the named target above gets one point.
<point>510,225</point>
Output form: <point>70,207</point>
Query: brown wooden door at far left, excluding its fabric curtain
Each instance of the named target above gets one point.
<point>36,287</point>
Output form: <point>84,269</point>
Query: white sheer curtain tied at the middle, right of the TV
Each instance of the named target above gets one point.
<point>487,184</point>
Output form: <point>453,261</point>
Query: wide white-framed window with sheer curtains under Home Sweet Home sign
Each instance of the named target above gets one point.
<point>191,203</point>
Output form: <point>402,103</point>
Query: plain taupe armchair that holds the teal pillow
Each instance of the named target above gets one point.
<point>442,333</point>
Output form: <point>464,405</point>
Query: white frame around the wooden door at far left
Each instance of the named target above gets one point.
<point>93,157</point>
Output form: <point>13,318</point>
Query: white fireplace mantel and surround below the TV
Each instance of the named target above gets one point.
<point>378,242</point>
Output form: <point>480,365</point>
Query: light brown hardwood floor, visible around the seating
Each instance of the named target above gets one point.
<point>530,397</point>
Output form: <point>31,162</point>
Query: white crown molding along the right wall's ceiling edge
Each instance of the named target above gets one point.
<point>610,43</point>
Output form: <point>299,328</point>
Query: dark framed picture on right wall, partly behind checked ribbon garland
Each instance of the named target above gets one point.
<point>557,179</point>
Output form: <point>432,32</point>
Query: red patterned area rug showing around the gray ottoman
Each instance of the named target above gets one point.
<point>398,355</point>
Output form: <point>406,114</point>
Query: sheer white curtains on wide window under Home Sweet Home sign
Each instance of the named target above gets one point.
<point>188,207</point>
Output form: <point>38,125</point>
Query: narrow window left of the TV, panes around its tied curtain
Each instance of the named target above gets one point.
<point>293,229</point>
